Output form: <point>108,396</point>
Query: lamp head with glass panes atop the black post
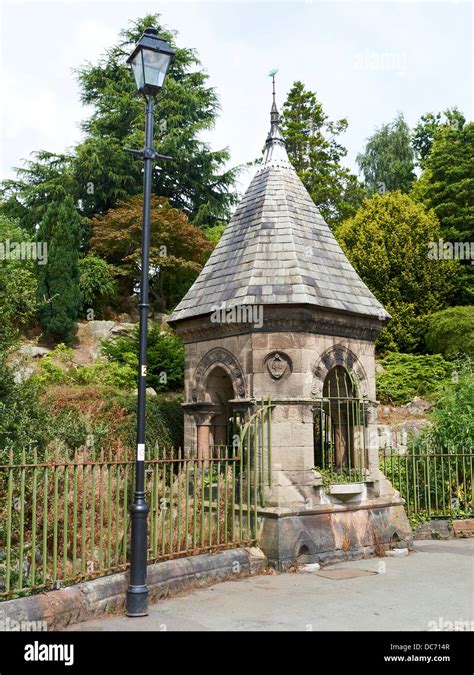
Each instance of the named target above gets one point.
<point>150,61</point>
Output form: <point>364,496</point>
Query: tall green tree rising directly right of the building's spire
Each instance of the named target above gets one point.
<point>313,149</point>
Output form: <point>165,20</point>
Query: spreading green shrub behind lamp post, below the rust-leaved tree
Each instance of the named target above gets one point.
<point>165,356</point>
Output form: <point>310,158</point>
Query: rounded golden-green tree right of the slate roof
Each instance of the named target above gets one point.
<point>387,241</point>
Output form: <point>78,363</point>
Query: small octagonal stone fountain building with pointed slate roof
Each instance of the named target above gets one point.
<point>278,311</point>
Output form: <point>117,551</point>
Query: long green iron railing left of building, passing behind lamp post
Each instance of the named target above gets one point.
<point>64,518</point>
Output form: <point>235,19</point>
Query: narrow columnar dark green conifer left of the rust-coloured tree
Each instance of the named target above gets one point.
<point>58,280</point>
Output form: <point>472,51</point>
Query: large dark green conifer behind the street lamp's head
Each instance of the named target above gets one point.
<point>99,173</point>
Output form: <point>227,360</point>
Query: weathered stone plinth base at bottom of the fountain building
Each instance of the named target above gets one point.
<point>325,535</point>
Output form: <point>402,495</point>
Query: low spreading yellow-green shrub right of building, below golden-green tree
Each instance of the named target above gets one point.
<point>408,375</point>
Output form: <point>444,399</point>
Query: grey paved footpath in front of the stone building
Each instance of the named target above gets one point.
<point>432,584</point>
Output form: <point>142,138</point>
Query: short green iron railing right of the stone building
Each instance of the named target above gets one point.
<point>434,483</point>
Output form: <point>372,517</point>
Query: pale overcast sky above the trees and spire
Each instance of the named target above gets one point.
<point>367,61</point>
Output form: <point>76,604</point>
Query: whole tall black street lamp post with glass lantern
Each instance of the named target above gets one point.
<point>149,61</point>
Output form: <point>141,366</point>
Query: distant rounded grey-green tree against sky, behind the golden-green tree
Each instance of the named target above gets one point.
<point>388,159</point>
